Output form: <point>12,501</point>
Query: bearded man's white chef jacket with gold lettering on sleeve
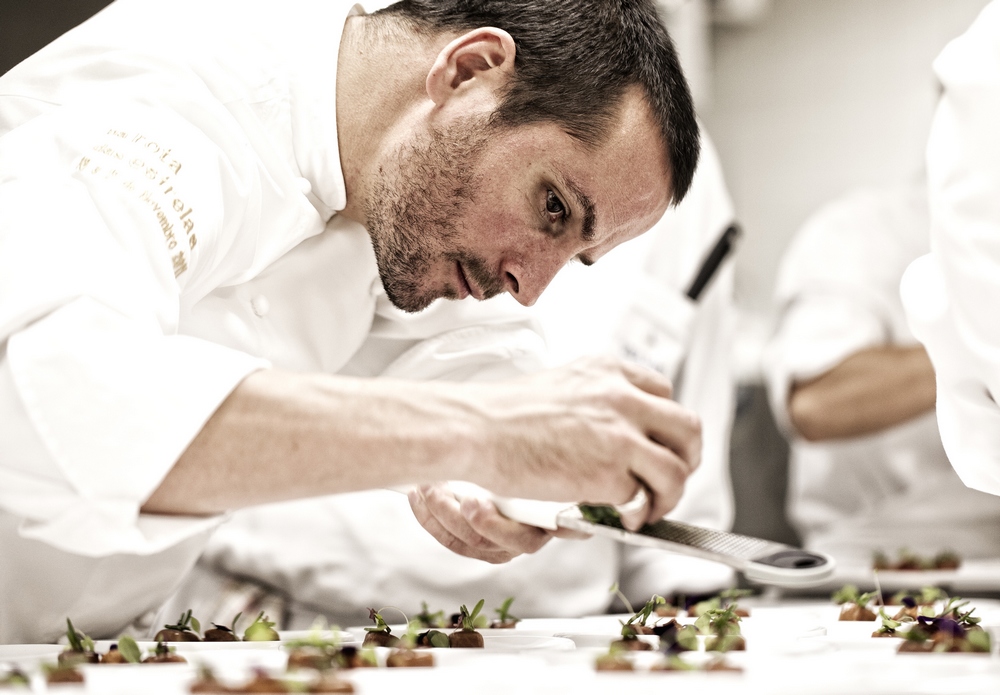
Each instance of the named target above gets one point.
<point>169,178</point>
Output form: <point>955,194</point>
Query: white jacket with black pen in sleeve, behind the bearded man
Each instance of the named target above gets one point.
<point>336,556</point>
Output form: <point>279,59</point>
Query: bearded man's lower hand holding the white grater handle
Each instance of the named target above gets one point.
<point>474,527</point>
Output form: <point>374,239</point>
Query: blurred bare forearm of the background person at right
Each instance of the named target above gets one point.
<point>869,391</point>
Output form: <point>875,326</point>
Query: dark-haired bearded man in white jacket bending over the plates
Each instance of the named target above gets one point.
<point>219,220</point>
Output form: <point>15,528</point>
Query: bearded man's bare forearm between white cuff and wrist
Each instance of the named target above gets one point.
<point>282,436</point>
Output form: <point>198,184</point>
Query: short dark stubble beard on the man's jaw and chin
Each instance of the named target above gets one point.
<point>412,212</point>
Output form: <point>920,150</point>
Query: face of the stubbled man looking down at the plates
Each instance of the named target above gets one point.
<point>475,210</point>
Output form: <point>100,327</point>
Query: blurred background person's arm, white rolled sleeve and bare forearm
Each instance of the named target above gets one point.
<point>842,362</point>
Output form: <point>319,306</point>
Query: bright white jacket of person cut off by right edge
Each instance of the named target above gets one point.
<point>952,295</point>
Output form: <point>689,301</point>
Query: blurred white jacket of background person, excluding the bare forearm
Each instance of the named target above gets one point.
<point>837,290</point>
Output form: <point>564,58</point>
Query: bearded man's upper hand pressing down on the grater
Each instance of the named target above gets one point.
<point>597,431</point>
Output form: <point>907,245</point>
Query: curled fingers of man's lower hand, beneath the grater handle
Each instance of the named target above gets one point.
<point>438,512</point>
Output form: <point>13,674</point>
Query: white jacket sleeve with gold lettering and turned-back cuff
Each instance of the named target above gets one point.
<point>113,217</point>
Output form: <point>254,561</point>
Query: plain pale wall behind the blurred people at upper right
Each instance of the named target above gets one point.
<point>812,99</point>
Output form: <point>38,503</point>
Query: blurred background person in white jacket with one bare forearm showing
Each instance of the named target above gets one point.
<point>854,391</point>
